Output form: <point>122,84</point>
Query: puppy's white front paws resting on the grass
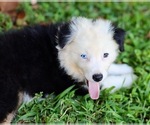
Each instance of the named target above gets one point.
<point>120,75</point>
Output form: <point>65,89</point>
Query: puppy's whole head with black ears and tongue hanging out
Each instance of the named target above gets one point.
<point>87,48</point>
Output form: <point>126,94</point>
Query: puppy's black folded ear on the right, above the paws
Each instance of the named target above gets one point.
<point>119,36</point>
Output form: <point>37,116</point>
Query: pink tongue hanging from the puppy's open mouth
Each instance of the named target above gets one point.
<point>94,89</point>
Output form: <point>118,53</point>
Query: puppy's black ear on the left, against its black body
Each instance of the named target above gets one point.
<point>64,34</point>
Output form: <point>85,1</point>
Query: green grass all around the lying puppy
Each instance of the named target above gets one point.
<point>124,106</point>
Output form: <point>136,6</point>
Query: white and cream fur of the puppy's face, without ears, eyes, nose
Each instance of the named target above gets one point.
<point>93,39</point>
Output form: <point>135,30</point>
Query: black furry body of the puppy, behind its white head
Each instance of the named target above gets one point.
<point>28,62</point>
